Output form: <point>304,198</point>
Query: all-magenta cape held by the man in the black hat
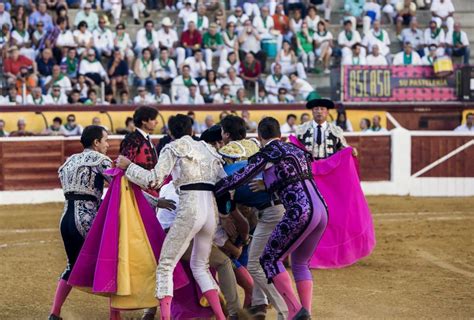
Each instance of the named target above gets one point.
<point>350,234</point>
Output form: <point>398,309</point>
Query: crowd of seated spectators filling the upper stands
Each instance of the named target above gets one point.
<point>205,56</point>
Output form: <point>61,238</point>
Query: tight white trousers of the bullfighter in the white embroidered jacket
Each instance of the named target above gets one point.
<point>196,218</point>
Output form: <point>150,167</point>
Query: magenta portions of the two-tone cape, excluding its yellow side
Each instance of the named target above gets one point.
<point>96,266</point>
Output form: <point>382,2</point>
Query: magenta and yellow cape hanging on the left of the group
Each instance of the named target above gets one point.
<point>121,251</point>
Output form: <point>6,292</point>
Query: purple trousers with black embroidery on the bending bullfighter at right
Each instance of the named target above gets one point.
<point>298,233</point>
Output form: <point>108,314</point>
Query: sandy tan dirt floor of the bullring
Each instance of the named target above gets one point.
<point>422,267</point>
